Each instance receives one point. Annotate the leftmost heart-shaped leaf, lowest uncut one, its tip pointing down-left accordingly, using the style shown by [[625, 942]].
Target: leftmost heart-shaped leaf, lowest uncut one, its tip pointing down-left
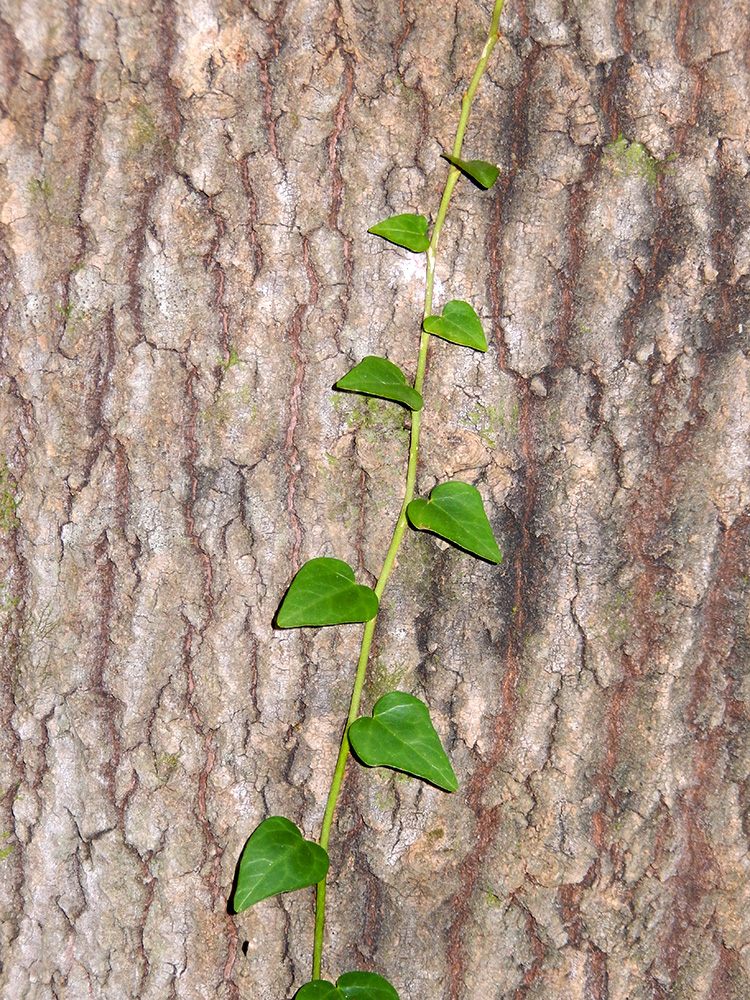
[[277, 858]]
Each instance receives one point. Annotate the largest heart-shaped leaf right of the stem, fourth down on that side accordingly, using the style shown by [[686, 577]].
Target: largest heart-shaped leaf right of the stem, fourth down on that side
[[400, 734]]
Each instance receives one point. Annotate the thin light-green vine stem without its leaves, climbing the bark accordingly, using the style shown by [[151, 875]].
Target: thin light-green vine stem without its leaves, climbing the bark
[[411, 478]]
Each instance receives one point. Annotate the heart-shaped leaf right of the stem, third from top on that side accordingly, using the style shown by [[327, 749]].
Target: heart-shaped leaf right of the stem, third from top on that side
[[455, 512]]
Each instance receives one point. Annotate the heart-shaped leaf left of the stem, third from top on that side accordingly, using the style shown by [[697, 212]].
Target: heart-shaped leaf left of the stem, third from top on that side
[[324, 593]]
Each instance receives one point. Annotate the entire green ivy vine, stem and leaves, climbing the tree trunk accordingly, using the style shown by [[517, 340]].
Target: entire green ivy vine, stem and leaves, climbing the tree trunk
[[399, 734]]
